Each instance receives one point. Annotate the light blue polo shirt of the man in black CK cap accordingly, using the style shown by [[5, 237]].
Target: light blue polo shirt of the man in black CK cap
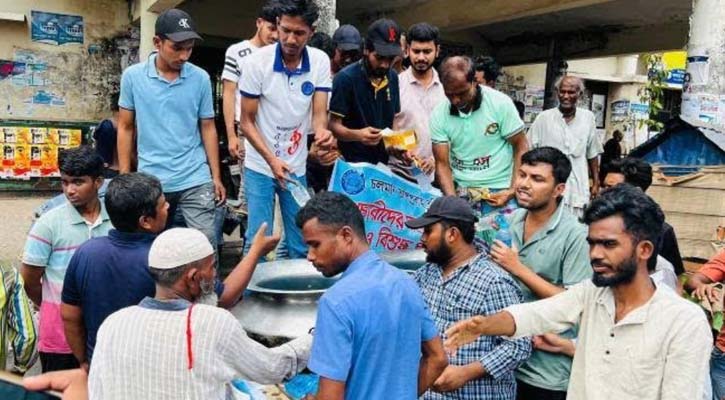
[[167, 122]]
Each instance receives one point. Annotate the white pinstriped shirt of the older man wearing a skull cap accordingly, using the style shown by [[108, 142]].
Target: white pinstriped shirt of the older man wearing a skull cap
[[141, 353]]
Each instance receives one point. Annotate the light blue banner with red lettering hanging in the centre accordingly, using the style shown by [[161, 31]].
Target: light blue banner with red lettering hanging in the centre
[[386, 202]]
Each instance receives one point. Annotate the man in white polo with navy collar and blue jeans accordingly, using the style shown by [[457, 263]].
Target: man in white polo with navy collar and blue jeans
[[284, 98]]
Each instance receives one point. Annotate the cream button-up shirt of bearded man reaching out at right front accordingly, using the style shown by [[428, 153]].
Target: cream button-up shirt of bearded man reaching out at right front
[[660, 350]]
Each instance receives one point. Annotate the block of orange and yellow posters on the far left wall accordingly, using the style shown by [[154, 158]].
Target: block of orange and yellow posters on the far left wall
[[32, 152]]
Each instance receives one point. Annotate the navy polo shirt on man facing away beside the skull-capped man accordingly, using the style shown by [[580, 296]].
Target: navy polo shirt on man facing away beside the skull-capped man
[[107, 274]]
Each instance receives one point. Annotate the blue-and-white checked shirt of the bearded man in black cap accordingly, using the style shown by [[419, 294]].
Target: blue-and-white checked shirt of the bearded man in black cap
[[478, 288]]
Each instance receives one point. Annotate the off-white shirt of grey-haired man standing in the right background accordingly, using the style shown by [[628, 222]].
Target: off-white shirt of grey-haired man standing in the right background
[[578, 140]]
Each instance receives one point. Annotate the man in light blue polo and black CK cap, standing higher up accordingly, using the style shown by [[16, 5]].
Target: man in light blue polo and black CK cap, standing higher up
[[169, 103]]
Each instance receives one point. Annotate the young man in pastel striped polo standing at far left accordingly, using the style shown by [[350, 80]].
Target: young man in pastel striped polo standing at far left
[[53, 240]]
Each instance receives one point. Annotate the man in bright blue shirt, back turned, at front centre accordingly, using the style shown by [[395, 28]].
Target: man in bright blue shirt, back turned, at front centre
[[374, 336]]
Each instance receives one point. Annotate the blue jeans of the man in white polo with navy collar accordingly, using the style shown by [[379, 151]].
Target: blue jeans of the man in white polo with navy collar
[[260, 190]]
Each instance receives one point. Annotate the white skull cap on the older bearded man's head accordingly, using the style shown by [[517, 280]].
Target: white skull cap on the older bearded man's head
[[178, 246]]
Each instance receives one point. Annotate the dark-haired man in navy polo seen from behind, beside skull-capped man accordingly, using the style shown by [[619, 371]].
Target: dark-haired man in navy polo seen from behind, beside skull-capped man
[[109, 273]]
